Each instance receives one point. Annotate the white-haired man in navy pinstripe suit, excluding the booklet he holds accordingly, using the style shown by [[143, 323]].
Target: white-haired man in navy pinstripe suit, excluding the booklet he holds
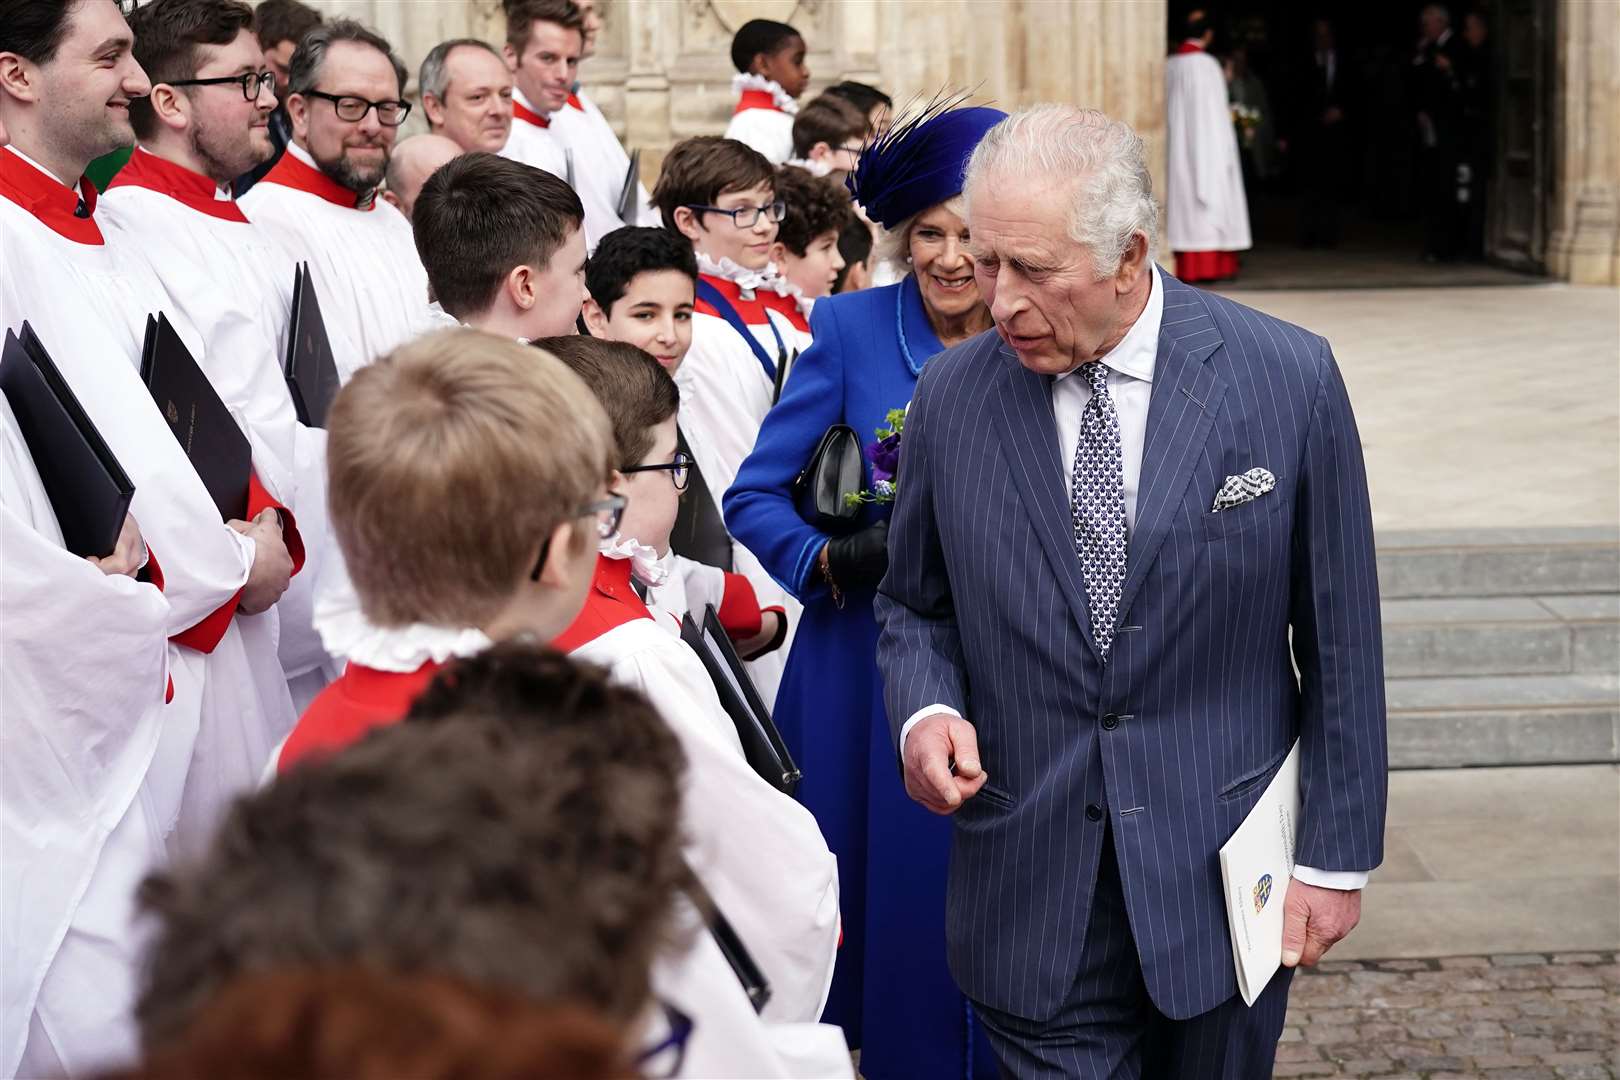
[[1132, 563]]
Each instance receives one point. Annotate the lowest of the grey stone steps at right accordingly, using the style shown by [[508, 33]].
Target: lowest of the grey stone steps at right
[[1504, 720]]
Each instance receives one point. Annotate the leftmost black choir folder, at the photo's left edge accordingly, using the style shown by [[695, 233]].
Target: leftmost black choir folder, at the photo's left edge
[[87, 487]]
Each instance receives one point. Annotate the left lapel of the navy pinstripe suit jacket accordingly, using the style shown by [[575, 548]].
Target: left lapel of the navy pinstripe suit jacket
[[1030, 438]]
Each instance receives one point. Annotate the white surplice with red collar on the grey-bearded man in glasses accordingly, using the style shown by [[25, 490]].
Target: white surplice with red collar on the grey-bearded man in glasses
[[367, 271]]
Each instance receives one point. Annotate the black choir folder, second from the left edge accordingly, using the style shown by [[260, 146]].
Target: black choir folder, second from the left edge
[[202, 422]]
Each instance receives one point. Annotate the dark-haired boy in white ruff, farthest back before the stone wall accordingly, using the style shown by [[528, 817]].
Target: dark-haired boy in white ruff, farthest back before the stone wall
[[772, 75]]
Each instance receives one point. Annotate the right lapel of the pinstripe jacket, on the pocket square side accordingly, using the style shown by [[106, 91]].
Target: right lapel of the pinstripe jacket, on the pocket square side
[[1180, 414]]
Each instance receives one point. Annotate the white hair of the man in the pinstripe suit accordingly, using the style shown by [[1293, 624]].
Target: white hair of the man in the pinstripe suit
[[1112, 190]]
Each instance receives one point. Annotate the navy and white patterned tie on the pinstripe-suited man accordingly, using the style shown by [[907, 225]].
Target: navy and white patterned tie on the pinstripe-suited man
[[1098, 501]]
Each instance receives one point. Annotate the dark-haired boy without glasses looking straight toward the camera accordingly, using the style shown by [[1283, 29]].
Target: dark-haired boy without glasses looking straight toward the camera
[[642, 294]]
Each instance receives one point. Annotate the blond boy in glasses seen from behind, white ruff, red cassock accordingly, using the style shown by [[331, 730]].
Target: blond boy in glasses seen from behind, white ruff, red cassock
[[469, 491]]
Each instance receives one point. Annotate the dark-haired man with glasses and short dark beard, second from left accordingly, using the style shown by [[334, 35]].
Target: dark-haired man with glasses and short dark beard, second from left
[[205, 124]]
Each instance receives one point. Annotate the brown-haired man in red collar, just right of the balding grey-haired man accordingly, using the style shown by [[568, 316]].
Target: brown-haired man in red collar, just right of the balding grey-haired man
[[544, 49]]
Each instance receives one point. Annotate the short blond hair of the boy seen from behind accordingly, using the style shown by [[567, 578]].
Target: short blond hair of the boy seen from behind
[[450, 462]]
